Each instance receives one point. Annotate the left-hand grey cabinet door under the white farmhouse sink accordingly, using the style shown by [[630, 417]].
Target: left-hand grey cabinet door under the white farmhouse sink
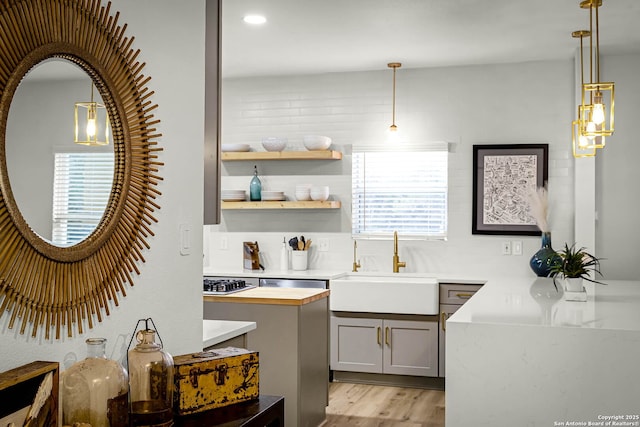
[[356, 344]]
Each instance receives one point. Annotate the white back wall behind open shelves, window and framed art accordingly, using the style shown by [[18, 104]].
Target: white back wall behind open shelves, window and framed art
[[512, 103]]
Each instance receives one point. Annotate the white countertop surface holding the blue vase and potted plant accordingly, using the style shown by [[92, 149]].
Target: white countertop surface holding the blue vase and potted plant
[[534, 301]]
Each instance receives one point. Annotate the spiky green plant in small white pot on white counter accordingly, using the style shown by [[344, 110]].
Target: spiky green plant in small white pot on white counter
[[575, 266]]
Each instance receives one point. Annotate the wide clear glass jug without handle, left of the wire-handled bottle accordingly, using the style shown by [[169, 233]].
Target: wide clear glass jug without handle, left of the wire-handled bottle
[[94, 390]]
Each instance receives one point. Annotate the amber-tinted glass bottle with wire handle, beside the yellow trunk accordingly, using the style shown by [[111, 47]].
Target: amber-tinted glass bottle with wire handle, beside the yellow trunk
[[150, 382]]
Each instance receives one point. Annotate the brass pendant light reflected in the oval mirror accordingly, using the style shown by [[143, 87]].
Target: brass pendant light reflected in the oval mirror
[[91, 123]]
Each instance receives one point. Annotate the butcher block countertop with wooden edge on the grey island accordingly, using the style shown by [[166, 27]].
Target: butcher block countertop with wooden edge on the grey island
[[273, 296]]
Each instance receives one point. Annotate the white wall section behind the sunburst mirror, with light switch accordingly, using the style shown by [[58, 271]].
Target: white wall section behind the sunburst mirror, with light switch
[[170, 35]]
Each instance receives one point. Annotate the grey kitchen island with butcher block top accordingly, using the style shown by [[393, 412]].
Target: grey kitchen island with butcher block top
[[292, 340]]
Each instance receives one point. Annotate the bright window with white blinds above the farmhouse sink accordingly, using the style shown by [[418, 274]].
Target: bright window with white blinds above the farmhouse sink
[[403, 191]]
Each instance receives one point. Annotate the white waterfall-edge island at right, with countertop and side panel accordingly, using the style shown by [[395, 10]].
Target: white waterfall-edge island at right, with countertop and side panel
[[519, 354]]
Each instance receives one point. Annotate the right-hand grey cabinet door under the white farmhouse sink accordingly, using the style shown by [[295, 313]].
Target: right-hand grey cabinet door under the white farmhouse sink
[[411, 348]]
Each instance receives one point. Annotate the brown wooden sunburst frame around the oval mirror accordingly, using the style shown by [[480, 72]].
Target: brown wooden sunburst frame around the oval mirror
[[51, 287]]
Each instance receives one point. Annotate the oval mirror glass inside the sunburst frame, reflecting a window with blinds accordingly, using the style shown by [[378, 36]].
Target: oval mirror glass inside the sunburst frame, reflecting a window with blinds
[[61, 188]]
